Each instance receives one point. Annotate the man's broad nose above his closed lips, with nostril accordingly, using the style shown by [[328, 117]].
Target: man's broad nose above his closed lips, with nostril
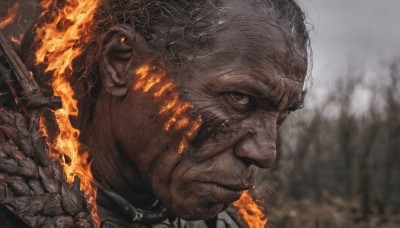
[[258, 149]]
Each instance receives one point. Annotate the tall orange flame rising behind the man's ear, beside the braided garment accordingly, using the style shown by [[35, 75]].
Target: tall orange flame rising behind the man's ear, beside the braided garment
[[59, 41]]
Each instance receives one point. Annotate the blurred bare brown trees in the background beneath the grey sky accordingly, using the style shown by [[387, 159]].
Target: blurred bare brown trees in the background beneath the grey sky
[[339, 149]]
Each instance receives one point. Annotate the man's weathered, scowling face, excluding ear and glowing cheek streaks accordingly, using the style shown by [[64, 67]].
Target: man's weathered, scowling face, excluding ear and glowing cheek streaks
[[242, 85]]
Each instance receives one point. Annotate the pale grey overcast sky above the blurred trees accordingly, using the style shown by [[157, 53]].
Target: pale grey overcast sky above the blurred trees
[[361, 32]]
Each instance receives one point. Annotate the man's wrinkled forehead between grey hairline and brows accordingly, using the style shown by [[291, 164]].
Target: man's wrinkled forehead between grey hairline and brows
[[256, 40]]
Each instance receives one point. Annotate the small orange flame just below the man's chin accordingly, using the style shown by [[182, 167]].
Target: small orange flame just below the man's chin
[[251, 213]]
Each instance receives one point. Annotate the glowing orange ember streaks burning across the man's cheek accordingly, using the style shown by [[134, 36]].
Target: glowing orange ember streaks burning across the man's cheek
[[153, 81]]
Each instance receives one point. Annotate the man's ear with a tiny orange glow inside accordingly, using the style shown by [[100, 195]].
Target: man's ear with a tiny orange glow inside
[[120, 48]]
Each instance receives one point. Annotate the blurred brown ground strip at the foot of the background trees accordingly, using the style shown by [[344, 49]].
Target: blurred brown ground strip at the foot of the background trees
[[330, 213]]
